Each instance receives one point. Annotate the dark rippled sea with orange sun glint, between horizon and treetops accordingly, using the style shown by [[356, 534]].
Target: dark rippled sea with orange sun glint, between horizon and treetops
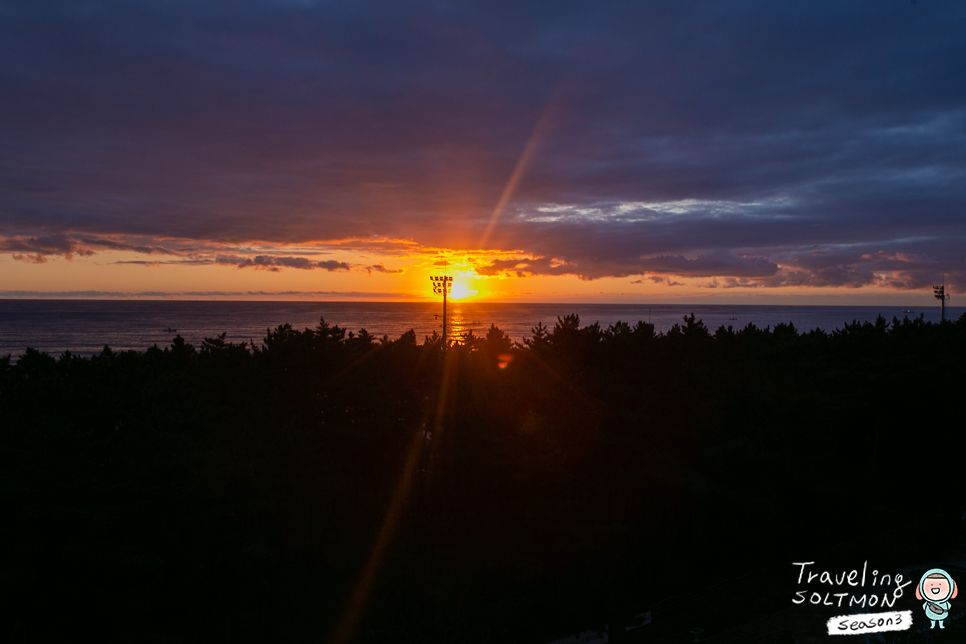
[[84, 327]]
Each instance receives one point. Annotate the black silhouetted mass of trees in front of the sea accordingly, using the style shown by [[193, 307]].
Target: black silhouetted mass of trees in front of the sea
[[328, 486]]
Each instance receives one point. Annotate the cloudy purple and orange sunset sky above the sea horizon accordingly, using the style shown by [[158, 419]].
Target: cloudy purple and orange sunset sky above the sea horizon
[[738, 152]]
